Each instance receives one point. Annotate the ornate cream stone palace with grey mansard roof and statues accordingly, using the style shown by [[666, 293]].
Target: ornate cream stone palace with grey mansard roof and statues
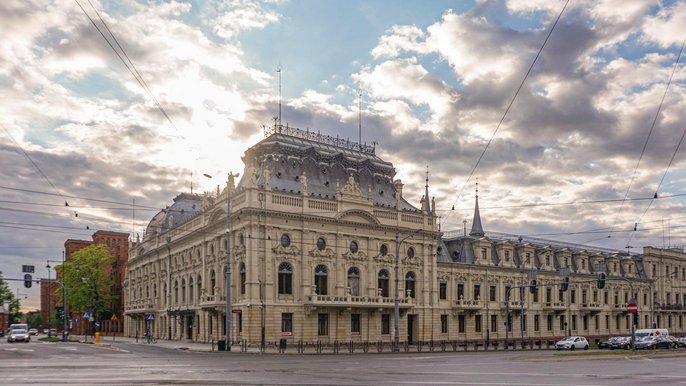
[[317, 226]]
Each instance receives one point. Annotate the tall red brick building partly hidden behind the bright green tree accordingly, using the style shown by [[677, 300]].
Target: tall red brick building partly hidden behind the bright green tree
[[118, 245]]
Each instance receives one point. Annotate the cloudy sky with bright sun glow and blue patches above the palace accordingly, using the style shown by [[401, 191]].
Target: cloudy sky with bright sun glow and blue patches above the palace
[[570, 145]]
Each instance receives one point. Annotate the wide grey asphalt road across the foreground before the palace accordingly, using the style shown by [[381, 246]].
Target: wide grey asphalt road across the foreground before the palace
[[130, 363]]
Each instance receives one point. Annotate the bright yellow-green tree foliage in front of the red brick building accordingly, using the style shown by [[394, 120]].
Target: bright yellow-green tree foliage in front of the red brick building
[[88, 281]]
